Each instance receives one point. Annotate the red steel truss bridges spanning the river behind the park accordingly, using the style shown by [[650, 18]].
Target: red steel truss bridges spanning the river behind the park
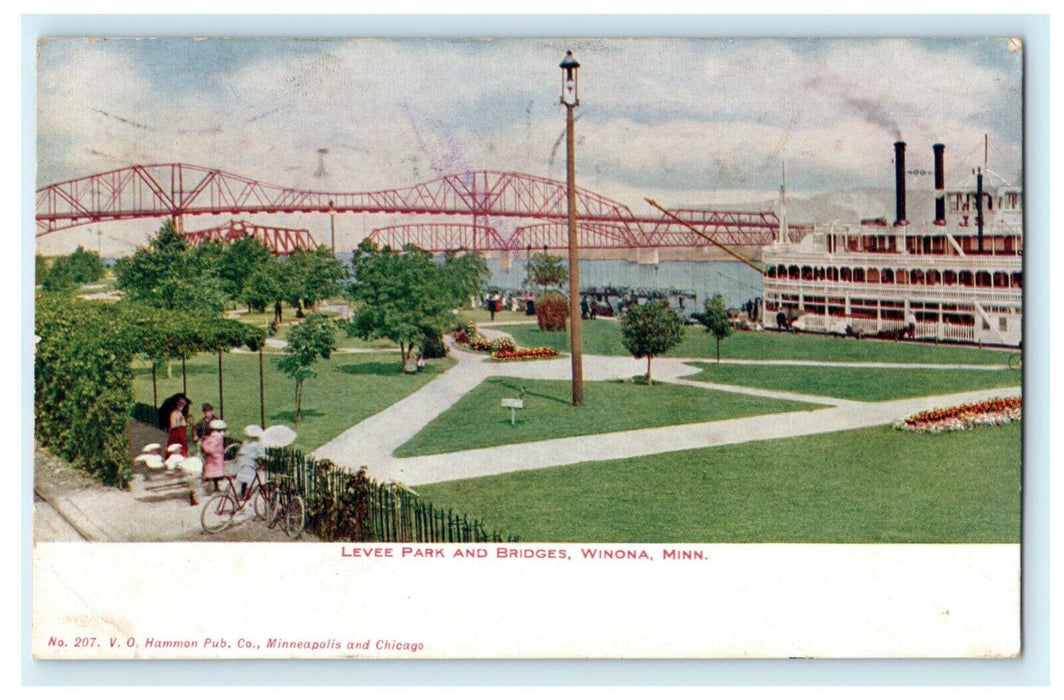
[[484, 198]]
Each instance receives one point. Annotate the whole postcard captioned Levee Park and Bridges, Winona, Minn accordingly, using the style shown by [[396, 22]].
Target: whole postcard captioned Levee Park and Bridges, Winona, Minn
[[528, 348]]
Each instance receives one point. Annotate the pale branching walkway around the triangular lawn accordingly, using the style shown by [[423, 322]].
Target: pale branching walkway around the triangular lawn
[[372, 442]]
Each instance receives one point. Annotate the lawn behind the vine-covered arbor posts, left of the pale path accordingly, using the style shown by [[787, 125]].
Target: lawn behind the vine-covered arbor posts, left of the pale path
[[348, 389]]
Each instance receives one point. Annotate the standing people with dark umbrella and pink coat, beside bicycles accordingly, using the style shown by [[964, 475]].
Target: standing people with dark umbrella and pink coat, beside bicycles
[[209, 435]]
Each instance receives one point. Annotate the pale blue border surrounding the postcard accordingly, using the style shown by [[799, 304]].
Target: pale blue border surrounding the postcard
[[1033, 669]]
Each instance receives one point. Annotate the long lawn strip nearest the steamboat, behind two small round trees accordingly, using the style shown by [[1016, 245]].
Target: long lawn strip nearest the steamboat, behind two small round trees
[[603, 338]]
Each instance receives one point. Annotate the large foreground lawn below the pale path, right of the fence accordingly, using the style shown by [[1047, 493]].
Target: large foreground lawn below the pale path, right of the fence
[[875, 486]]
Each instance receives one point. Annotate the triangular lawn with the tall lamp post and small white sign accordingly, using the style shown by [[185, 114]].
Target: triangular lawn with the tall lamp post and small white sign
[[478, 420]]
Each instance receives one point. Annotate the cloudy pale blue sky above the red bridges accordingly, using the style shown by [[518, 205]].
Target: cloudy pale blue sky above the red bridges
[[686, 122]]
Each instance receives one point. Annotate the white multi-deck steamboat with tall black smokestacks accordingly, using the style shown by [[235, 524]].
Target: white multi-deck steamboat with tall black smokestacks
[[958, 279]]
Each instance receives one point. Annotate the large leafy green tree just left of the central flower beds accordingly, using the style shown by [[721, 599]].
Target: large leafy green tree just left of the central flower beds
[[404, 296]]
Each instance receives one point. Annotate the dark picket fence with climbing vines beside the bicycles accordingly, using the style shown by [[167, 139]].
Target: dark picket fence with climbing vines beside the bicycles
[[344, 507]]
